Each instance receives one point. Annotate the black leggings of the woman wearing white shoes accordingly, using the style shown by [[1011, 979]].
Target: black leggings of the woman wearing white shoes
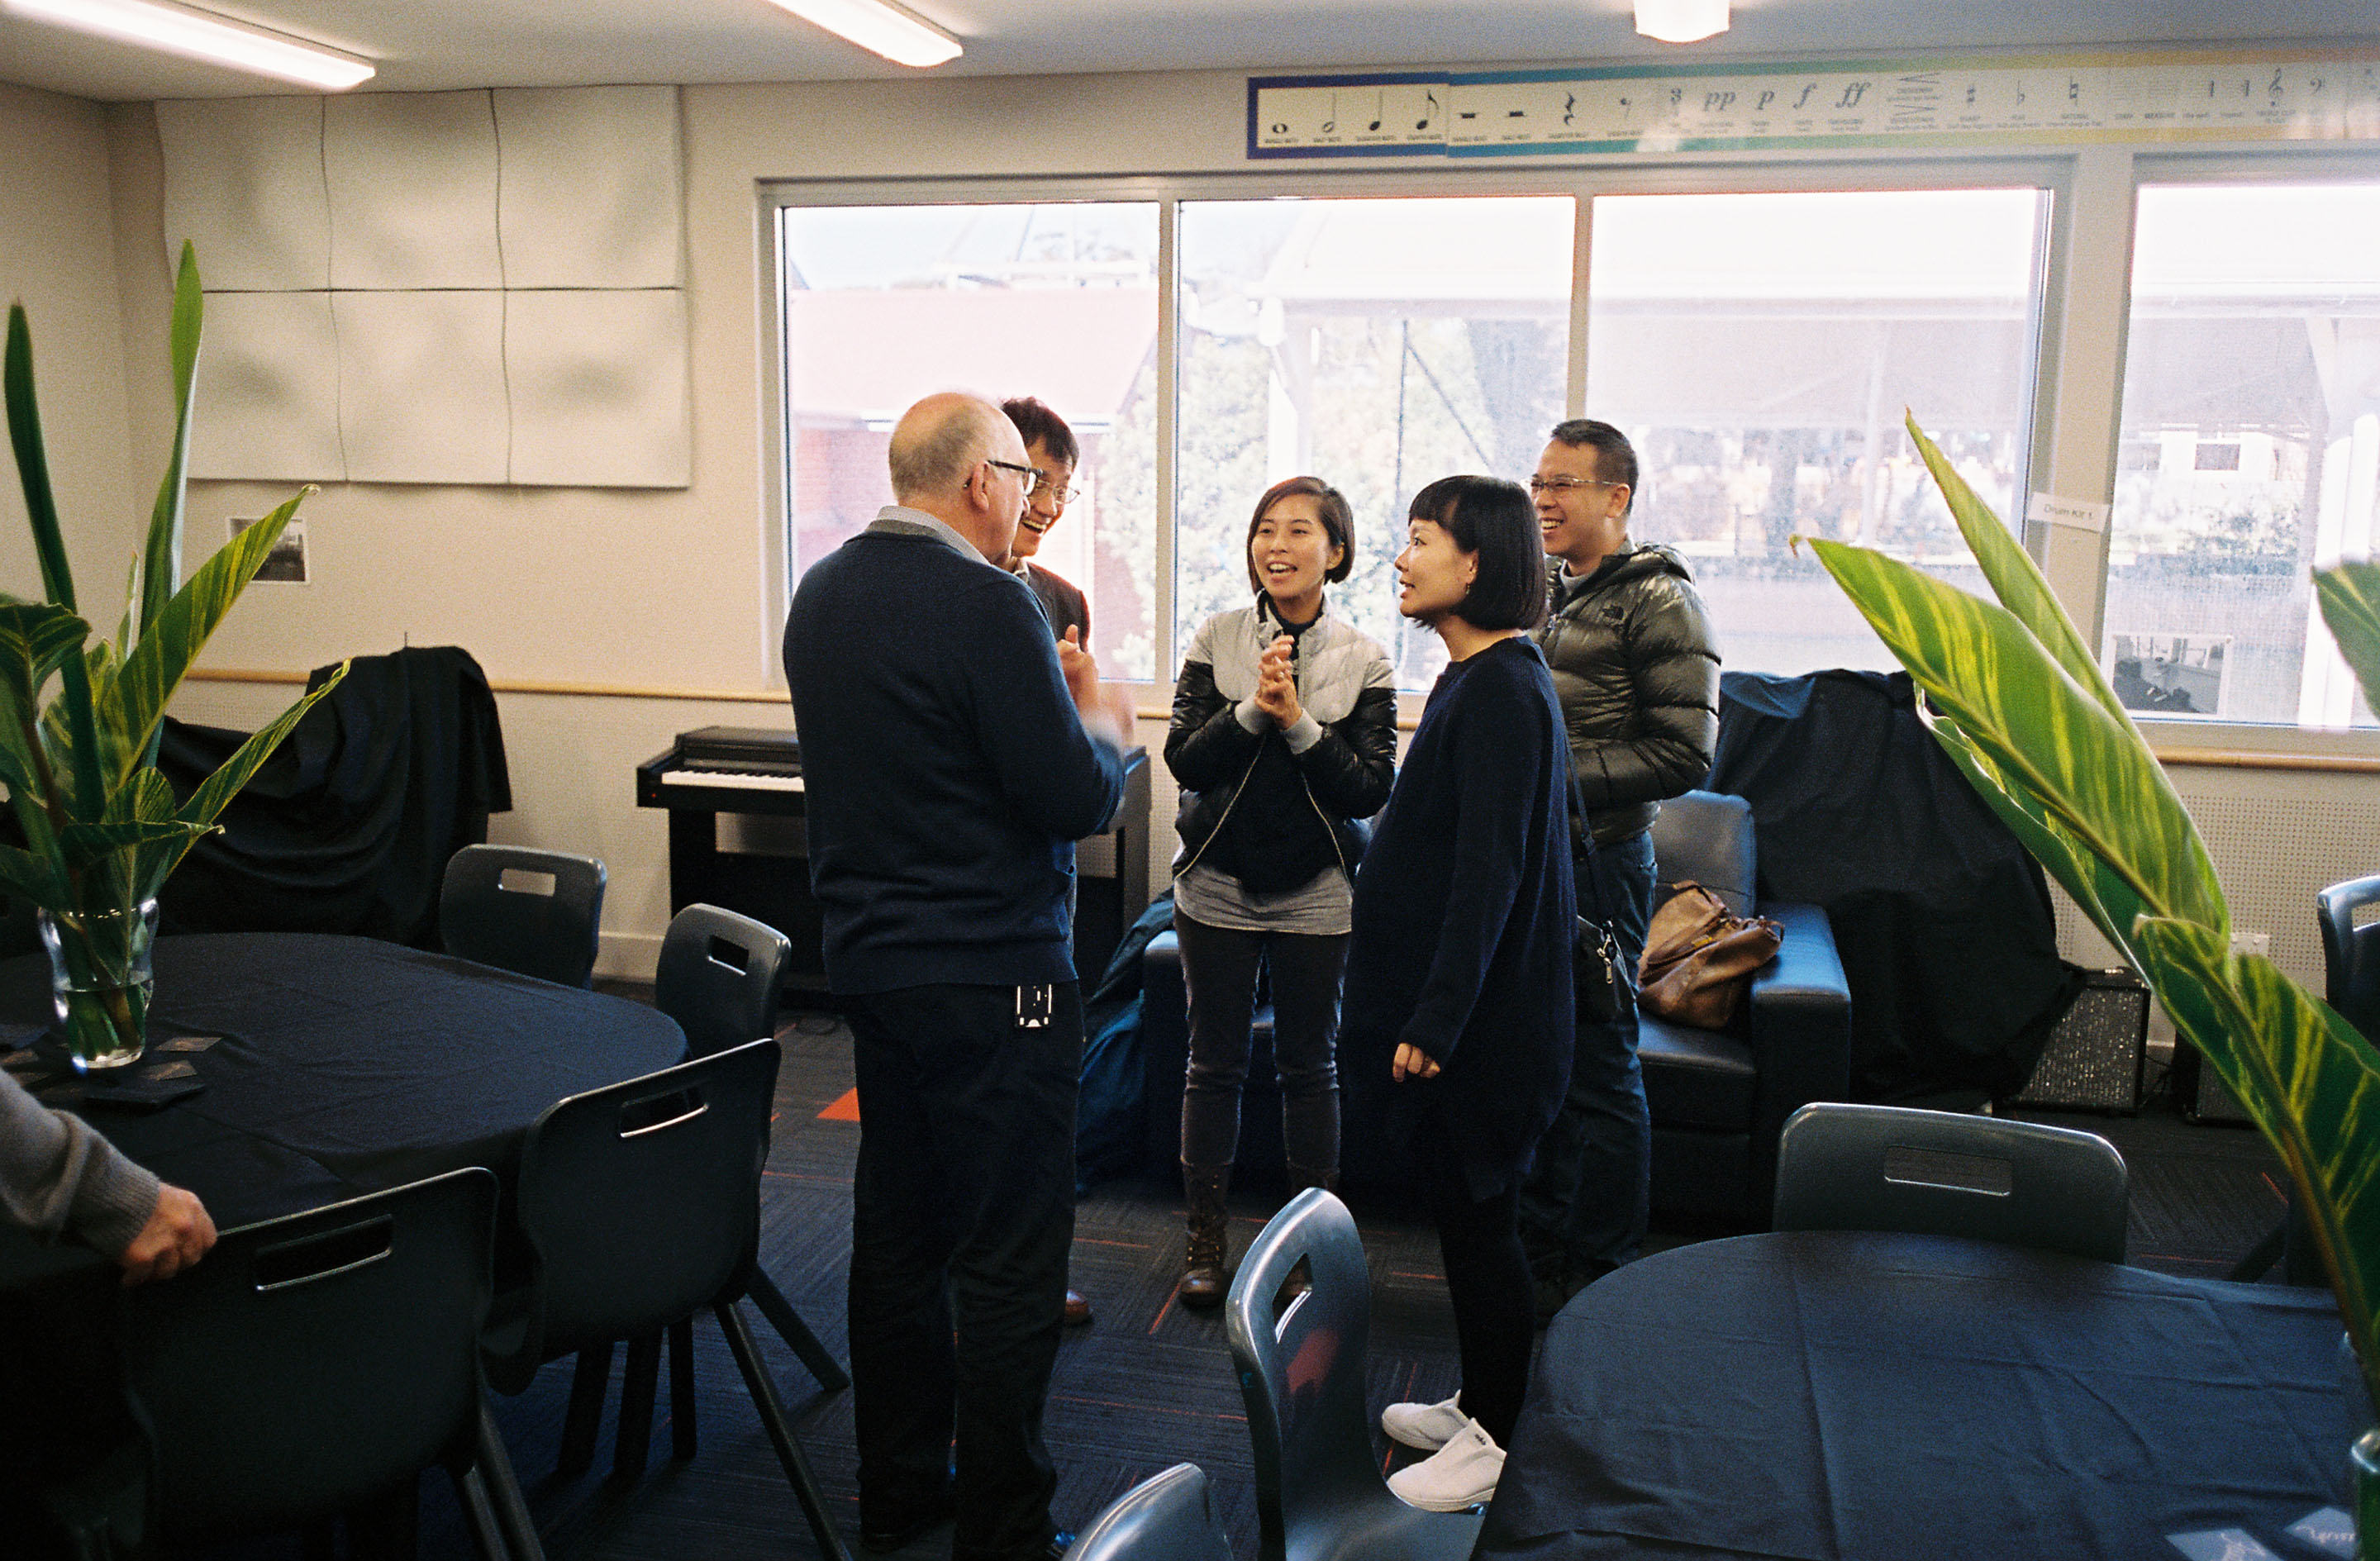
[[1479, 1241]]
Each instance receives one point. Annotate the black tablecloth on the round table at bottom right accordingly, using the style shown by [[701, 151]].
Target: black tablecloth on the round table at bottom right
[[1884, 1398]]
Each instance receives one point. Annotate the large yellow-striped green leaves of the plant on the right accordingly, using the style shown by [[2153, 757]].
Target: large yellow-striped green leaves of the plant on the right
[[2019, 706]]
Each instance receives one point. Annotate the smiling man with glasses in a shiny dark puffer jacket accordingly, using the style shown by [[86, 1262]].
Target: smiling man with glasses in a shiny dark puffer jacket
[[1639, 677]]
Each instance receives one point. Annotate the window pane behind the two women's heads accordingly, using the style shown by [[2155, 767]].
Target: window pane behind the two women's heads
[[1374, 344]]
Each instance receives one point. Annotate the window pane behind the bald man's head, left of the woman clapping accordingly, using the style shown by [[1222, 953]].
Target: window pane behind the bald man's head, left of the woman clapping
[[889, 303]]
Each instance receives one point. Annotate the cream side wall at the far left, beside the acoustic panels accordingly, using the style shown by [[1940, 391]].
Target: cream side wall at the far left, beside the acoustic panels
[[58, 258]]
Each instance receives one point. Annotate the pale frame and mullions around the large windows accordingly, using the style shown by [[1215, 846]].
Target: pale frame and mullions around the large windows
[[2081, 315]]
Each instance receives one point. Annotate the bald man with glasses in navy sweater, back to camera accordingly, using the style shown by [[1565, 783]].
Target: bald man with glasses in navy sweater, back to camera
[[951, 760]]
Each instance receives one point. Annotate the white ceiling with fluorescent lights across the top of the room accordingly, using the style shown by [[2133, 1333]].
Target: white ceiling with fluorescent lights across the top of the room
[[458, 44]]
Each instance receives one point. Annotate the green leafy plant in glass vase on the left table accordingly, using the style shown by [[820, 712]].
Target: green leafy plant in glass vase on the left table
[[80, 722]]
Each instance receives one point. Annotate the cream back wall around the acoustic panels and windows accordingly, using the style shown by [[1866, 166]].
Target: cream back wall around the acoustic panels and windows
[[675, 591]]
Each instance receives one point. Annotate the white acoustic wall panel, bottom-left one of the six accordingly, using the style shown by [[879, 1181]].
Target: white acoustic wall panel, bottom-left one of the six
[[268, 387]]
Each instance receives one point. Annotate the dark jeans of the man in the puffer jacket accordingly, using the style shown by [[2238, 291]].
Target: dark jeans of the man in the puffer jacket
[[1586, 1200]]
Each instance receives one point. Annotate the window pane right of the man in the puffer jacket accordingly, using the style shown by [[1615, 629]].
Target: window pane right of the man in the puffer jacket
[[1760, 353]]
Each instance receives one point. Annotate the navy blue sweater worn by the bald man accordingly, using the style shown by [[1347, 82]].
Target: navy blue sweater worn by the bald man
[[946, 767]]
